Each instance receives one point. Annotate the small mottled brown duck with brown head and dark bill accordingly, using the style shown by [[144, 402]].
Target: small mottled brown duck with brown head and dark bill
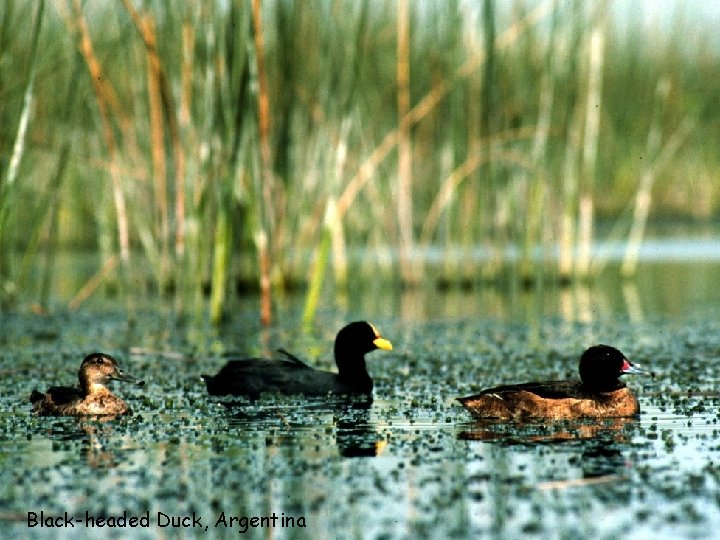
[[93, 397]]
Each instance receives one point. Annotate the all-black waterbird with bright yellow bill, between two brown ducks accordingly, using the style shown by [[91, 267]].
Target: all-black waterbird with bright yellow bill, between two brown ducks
[[254, 376]]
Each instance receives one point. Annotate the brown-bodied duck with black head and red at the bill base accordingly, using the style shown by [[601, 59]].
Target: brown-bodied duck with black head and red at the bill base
[[599, 393]]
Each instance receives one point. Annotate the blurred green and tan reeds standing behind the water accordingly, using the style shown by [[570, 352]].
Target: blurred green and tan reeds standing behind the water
[[206, 148]]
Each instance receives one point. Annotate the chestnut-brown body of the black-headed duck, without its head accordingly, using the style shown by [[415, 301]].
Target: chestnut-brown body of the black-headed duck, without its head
[[552, 399]]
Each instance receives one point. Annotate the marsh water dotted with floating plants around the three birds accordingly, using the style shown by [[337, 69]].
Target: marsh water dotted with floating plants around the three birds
[[409, 464]]
